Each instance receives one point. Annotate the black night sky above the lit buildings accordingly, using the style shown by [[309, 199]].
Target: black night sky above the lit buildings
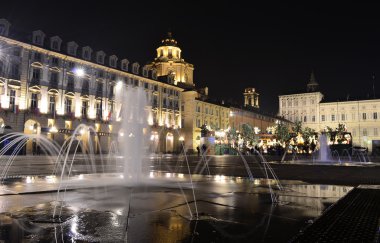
[[271, 47]]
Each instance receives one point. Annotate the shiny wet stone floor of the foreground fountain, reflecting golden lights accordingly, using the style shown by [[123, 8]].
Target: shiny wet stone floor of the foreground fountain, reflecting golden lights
[[98, 208]]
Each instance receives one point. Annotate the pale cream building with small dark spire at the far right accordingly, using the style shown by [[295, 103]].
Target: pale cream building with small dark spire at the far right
[[361, 117]]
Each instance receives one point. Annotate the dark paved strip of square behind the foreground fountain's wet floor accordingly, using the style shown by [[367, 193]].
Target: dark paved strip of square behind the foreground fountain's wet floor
[[339, 173]]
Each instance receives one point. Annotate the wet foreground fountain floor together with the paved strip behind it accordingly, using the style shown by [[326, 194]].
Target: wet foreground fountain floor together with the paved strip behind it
[[221, 202]]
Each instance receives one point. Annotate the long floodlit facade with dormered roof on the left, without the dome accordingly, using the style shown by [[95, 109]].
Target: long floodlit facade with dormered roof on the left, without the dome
[[49, 87]]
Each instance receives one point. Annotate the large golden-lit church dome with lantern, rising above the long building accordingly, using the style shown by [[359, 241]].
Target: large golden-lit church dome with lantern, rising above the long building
[[169, 61]]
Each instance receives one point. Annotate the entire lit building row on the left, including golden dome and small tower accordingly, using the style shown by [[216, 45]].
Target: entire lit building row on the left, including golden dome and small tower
[[50, 87]]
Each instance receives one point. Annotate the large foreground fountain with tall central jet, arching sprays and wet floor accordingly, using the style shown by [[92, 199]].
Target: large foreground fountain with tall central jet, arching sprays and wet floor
[[87, 197]]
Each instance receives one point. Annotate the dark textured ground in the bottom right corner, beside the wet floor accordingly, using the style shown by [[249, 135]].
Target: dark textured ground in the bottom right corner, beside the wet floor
[[354, 218]]
